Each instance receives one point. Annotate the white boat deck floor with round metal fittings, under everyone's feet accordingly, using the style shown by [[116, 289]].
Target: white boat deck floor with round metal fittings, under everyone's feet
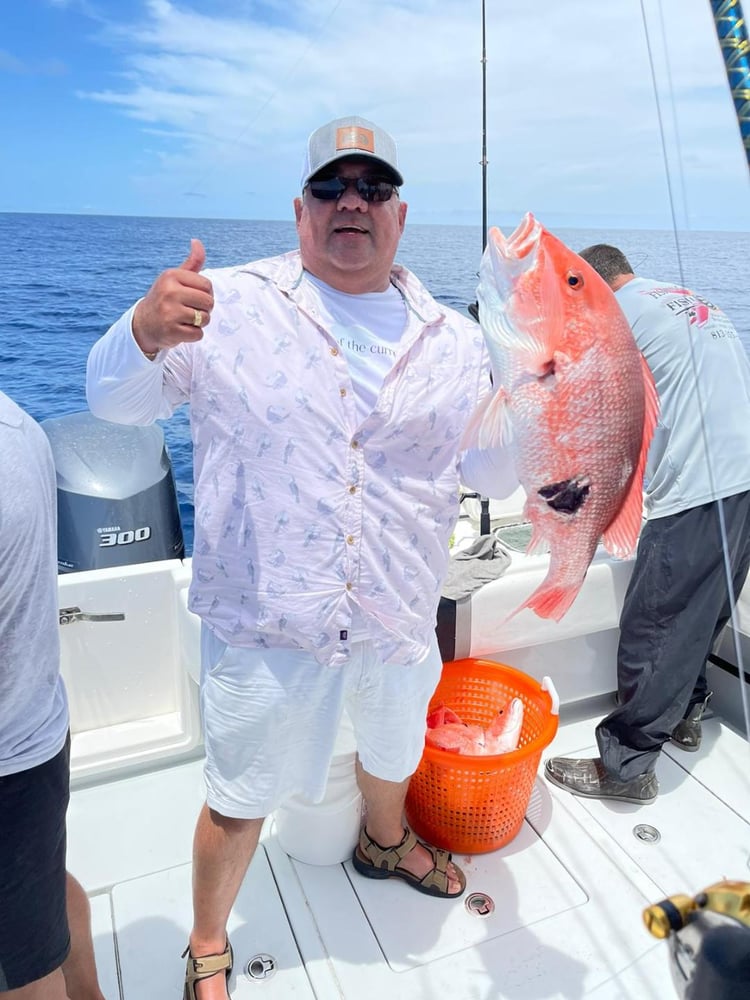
[[568, 892]]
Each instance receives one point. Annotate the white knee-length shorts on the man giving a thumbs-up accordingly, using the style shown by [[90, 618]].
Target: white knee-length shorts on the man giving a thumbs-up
[[270, 719]]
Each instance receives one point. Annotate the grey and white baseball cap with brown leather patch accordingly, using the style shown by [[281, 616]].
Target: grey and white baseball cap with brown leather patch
[[347, 137]]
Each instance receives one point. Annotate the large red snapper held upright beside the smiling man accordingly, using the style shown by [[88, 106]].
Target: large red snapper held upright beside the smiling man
[[574, 399]]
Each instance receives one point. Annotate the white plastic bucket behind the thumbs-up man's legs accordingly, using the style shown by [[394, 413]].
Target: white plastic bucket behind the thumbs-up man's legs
[[326, 832]]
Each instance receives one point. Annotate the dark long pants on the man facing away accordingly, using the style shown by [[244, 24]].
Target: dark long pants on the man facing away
[[676, 604]]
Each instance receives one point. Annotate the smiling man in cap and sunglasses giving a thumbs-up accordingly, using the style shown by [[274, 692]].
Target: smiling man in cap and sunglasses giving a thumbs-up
[[329, 395]]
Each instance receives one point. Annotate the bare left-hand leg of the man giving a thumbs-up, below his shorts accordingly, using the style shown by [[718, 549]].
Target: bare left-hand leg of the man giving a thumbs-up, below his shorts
[[222, 850]]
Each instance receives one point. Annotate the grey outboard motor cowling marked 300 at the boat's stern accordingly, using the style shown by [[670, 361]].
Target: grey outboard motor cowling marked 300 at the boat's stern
[[116, 497]]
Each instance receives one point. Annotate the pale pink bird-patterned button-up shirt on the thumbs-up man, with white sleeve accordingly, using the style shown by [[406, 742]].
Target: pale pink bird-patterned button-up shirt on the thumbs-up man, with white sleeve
[[302, 512]]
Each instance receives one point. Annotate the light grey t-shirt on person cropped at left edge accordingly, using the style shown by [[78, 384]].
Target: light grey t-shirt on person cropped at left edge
[[33, 707]]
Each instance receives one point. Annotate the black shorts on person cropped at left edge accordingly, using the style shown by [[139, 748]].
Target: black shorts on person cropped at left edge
[[34, 936]]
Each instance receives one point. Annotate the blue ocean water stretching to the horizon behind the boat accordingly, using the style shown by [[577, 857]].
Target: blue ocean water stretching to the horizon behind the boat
[[66, 278]]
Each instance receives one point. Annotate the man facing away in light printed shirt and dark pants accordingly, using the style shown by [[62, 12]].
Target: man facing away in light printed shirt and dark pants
[[697, 536]]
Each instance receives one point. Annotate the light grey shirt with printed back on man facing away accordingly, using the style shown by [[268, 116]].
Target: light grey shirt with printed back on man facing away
[[701, 447]]
